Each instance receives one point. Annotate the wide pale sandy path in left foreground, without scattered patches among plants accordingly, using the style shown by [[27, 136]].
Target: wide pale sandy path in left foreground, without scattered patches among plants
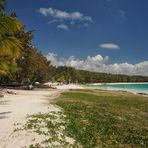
[[13, 112]]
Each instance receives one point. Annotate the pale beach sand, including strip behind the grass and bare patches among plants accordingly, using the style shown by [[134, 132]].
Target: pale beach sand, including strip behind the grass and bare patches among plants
[[15, 109]]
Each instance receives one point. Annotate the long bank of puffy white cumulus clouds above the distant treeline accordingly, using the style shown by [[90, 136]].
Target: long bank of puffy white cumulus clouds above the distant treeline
[[98, 63]]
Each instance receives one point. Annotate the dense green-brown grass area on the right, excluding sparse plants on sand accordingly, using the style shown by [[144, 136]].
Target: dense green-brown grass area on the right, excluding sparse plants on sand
[[105, 119]]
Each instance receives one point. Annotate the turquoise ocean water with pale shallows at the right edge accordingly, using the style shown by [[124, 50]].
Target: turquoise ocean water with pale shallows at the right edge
[[134, 88]]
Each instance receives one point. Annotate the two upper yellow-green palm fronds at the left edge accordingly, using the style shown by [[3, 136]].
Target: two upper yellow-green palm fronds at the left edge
[[9, 44]]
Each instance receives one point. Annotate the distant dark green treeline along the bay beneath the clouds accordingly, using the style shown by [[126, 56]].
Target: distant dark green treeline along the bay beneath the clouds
[[72, 75]]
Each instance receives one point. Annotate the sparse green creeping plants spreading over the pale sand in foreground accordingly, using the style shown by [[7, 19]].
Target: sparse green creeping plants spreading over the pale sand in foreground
[[51, 127]]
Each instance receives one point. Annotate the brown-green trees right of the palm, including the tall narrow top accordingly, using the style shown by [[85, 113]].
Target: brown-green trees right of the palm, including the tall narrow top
[[32, 65]]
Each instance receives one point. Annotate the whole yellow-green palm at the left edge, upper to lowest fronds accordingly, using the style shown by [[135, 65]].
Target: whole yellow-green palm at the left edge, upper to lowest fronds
[[9, 45]]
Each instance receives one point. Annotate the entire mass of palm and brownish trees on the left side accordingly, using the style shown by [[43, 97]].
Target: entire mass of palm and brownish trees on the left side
[[19, 59]]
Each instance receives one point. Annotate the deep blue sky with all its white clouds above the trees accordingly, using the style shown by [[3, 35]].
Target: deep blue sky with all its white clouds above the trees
[[97, 35]]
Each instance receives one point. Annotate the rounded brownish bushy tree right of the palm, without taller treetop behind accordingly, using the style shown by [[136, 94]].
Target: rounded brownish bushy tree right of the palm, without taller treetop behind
[[33, 66]]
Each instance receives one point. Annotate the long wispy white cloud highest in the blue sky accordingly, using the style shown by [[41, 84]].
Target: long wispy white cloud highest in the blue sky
[[63, 15]]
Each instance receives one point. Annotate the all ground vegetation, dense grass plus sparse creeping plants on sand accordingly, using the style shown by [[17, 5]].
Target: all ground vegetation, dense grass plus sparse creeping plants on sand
[[93, 119]]
